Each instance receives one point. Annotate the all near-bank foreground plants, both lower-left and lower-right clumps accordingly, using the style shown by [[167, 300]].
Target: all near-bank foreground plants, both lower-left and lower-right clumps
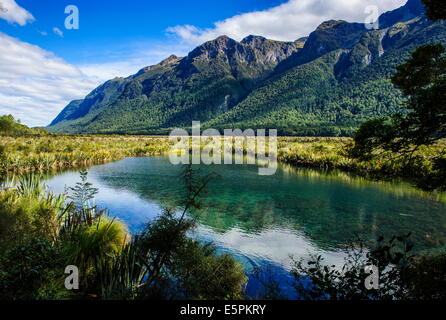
[[40, 235]]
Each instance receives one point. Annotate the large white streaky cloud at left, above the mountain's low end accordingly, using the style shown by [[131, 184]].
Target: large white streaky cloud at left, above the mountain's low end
[[35, 84]]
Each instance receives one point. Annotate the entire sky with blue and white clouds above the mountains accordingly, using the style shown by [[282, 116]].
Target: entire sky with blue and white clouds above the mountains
[[43, 65]]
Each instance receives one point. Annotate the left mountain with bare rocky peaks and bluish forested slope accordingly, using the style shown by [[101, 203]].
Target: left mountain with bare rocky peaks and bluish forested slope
[[213, 77]]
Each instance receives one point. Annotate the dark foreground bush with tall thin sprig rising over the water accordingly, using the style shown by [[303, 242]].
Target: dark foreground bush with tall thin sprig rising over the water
[[164, 262]]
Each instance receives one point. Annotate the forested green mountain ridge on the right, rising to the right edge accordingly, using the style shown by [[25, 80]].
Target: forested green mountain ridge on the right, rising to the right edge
[[332, 94]]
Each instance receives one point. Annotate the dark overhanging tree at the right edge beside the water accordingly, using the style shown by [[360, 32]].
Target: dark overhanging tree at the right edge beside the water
[[422, 79]]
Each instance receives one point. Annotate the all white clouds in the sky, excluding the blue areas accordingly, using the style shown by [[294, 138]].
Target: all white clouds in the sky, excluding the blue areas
[[35, 84]]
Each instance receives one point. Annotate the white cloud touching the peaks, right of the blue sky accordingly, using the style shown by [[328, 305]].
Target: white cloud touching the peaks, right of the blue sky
[[287, 22]]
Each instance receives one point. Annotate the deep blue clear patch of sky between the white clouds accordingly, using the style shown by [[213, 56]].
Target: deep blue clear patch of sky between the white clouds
[[108, 27]]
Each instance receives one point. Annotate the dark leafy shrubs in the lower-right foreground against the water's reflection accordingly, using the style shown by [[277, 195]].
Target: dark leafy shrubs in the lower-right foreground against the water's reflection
[[401, 274]]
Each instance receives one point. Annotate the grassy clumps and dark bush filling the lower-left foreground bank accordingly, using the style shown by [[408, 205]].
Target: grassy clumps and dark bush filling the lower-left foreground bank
[[40, 235]]
